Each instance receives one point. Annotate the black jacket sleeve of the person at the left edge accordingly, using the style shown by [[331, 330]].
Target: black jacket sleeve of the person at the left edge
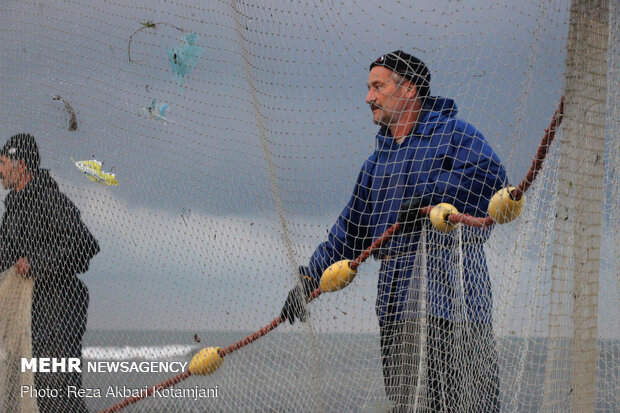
[[69, 246]]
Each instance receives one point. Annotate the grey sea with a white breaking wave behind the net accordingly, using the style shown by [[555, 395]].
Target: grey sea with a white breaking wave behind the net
[[307, 371]]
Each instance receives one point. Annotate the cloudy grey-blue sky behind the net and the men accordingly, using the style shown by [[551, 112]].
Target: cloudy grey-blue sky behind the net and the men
[[267, 132]]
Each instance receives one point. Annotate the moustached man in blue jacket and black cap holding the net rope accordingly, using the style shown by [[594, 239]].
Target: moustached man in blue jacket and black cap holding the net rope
[[431, 285]]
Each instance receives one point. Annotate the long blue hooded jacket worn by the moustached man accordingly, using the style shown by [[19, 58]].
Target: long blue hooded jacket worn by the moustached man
[[444, 159]]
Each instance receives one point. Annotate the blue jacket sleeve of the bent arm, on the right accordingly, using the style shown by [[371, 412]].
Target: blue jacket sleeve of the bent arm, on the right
[[470, 175]]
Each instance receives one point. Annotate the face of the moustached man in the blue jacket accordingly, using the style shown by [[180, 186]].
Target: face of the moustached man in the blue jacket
[[387, 98]]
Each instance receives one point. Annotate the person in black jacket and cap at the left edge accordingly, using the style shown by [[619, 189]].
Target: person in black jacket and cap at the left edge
[[43, 235]]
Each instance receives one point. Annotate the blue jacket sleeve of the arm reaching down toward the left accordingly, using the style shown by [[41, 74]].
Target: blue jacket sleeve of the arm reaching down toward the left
[[349, 235]]
